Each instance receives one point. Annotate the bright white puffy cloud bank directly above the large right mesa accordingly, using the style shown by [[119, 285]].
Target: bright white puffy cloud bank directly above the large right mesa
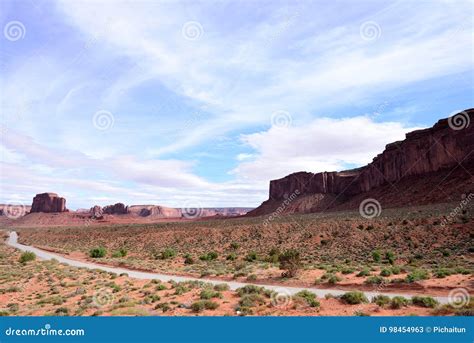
[[323, 145]]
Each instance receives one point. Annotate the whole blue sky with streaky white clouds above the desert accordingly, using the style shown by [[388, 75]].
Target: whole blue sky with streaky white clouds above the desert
[[202, 103]]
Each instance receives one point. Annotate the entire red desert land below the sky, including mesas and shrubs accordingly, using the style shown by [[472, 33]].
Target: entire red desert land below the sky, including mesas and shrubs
[[395, 237]]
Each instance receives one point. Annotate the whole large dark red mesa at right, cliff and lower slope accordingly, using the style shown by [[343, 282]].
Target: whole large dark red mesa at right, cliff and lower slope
[[441, 154]]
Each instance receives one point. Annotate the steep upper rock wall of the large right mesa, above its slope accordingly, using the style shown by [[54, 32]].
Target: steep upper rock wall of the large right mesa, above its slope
[[447, 143]]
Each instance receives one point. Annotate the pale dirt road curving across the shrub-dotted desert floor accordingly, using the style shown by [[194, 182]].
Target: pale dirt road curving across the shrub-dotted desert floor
[[45, 255]]
